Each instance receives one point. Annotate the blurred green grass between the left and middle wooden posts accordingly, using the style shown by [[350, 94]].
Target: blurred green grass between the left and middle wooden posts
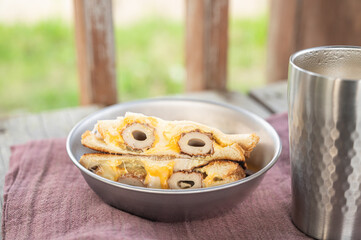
[[149, 59]]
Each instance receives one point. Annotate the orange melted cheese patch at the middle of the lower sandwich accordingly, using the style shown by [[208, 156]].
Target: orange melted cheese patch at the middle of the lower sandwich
[[158, 173]]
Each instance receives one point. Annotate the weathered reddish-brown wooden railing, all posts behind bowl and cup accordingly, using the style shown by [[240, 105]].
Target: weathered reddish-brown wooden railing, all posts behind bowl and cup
[[294, 25]]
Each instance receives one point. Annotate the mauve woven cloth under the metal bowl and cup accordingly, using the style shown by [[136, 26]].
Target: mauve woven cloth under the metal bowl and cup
[[45, 197]]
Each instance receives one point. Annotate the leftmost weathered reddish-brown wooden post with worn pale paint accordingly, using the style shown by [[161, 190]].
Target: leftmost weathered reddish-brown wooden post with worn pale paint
[[95, 51]]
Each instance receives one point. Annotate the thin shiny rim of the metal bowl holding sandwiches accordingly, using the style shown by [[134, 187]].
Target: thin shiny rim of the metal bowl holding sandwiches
[[275, 136]]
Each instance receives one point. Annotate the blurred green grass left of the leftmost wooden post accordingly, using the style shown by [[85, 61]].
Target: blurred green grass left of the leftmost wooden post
[[37, 66]]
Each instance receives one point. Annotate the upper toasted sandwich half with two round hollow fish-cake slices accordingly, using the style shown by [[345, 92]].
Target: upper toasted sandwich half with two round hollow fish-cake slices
[[150, 136]]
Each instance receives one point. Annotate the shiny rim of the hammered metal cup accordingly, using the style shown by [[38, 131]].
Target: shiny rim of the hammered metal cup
[[307, 50]]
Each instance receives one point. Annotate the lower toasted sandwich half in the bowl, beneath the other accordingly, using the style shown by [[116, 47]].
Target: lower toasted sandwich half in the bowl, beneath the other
[[162, 173]]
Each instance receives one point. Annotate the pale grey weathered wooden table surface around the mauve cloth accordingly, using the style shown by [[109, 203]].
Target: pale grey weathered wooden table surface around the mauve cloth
[[57, 124]]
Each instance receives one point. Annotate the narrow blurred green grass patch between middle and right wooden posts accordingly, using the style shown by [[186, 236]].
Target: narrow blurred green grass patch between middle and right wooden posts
[[247, 53]]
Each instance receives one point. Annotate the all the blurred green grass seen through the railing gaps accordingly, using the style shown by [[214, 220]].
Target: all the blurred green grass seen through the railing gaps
[[38, 61]]
